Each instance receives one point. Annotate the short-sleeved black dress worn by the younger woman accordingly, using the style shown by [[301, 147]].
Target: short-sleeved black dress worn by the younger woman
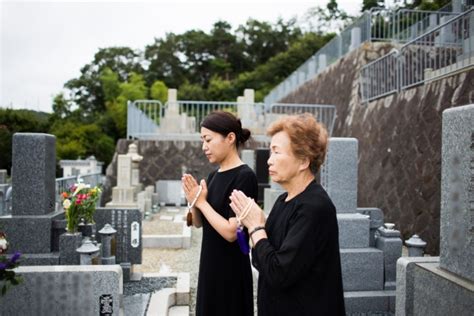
[[225, 276]]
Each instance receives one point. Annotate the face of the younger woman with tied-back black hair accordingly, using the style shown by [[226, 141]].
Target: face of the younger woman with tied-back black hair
[[215, 146]]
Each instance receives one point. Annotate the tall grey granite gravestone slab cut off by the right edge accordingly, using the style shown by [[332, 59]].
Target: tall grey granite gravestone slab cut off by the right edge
[[457, 192]]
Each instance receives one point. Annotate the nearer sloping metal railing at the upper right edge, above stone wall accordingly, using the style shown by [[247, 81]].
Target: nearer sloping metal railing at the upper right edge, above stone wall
[[441, 51]]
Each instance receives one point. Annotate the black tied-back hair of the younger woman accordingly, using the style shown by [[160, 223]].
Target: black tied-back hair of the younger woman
[[223, 122]]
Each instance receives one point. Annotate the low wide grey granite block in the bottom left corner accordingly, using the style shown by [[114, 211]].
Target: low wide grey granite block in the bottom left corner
[[65, 290]]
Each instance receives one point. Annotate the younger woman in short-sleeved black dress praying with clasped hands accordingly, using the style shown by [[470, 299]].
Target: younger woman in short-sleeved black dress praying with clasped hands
[[225, 277]]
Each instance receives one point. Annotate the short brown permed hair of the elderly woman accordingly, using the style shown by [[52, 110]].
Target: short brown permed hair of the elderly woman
[[309, 139]]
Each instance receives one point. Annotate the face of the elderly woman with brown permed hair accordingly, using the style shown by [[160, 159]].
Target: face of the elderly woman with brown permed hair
[[282, 163]]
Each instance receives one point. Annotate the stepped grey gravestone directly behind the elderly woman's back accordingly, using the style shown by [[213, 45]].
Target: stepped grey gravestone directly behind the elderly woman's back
[[364, 263]]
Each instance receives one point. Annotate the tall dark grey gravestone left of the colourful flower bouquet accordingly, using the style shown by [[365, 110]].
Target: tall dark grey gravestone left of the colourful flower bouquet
[[29, 226]]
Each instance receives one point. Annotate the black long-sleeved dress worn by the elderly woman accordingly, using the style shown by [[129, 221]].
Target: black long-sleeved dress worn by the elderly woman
[[299, 263]]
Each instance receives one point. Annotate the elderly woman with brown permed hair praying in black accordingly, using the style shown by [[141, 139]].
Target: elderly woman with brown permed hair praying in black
[[296, 251]]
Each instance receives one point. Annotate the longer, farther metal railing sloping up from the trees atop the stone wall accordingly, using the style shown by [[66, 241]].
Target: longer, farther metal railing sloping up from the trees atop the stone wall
[[374, 25]]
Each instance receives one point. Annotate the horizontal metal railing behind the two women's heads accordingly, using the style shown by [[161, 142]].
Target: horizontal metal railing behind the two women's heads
[[181, 120]]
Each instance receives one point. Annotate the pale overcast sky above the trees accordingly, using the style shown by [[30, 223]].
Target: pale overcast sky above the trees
[[44, 44]]
